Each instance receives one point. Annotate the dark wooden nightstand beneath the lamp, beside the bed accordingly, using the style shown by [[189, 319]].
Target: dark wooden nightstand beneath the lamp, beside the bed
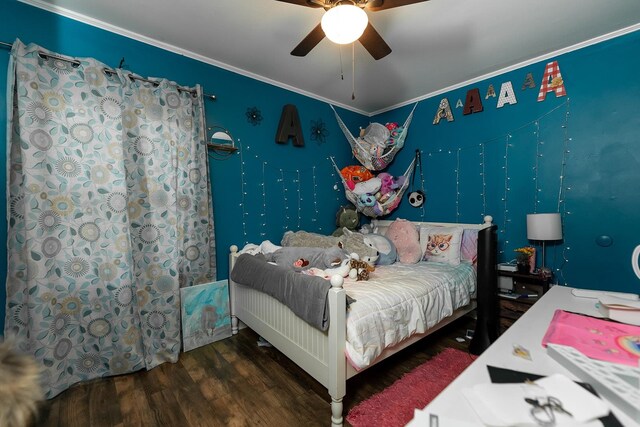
[[527, 289]]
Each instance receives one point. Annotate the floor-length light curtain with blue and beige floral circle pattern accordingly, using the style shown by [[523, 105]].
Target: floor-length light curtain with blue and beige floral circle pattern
[[109, 215]]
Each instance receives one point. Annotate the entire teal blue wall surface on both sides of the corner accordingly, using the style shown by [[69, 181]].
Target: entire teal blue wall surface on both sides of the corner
[[602, 167]]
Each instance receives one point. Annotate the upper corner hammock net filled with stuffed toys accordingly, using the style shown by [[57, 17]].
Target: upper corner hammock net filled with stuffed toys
[[377, 147]]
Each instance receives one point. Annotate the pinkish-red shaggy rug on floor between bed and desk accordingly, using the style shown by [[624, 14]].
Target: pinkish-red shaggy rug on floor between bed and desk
[[394, 405]]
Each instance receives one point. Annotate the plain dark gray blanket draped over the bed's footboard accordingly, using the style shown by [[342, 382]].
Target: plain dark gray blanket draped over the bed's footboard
[[305, 295]]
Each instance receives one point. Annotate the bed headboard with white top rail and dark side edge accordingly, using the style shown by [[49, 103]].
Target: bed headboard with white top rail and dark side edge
[[487, 322]]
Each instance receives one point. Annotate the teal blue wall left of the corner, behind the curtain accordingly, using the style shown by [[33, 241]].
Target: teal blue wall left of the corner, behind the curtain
[[235, 94]]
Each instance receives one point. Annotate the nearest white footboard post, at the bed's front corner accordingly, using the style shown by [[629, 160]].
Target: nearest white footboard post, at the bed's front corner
[[337, 383]]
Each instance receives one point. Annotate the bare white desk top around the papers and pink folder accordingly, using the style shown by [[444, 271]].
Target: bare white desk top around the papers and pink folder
[[527, 332]]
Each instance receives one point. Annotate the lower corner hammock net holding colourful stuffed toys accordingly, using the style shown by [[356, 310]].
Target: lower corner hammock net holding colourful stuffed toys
[[367, 204]]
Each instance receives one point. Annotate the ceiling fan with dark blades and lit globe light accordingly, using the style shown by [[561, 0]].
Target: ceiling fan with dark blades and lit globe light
[[358, 26]]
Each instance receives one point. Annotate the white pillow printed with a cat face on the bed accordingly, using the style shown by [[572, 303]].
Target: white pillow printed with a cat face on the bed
[[441, 244]]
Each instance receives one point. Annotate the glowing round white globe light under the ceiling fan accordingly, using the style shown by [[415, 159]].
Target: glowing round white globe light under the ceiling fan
[[344, 23]]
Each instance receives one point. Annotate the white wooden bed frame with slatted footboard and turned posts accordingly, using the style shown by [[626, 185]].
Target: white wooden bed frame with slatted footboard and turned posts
[[320, 354]]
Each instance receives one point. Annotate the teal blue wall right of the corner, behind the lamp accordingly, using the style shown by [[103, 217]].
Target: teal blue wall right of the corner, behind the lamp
[[602, 171]]
